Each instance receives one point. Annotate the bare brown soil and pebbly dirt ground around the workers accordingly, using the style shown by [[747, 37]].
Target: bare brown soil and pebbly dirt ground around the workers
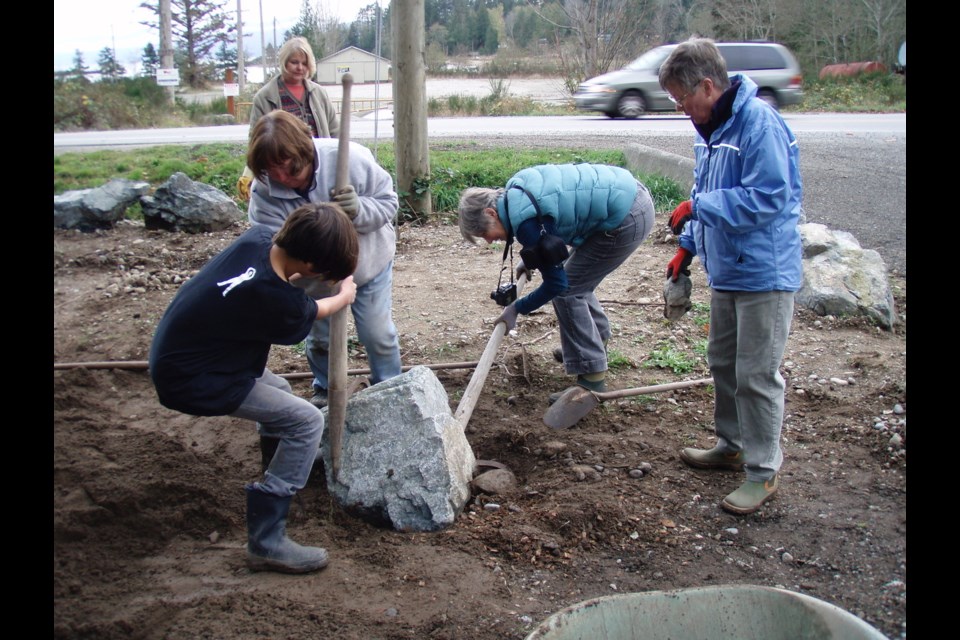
[[148, 505]]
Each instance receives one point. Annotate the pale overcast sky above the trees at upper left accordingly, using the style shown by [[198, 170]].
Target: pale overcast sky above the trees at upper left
[[92, 25]]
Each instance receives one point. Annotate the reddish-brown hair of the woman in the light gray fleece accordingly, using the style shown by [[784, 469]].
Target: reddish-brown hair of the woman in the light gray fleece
[[277, 137]]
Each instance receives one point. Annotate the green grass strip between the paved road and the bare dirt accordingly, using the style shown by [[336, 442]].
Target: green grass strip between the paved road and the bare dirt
[[454, 168]]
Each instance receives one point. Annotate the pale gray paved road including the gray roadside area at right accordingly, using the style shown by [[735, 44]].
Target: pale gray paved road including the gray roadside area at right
[[853, 166]]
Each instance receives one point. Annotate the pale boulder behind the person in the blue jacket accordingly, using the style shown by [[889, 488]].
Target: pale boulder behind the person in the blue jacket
[[842, 279]]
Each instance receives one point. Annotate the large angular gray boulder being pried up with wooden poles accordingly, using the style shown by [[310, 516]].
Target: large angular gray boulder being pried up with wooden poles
[[405, 462]]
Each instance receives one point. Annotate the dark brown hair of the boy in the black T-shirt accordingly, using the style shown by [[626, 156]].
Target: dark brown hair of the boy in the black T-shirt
[[321, 234]]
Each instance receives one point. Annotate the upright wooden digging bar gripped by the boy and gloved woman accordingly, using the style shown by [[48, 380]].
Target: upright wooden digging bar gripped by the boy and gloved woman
[[337, 369]]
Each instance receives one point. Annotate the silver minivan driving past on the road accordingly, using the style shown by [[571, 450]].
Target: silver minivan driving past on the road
[[635, 89]]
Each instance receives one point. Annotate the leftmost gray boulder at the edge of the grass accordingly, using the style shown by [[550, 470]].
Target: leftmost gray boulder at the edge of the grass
[[98, 208]]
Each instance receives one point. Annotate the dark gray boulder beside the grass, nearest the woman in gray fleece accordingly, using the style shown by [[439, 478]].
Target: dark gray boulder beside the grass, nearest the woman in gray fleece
[[180, 204]]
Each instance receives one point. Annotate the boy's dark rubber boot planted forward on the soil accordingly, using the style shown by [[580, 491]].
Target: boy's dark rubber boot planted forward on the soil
[[268, 547]]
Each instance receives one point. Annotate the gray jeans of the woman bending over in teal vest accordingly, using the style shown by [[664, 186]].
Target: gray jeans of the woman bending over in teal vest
[[584, 327]]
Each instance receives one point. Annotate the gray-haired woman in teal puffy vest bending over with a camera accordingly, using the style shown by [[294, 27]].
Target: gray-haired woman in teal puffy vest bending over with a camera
[[602, 212]]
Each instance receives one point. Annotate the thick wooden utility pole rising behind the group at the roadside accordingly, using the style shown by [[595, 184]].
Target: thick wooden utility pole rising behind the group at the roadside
[[410, 105]]
